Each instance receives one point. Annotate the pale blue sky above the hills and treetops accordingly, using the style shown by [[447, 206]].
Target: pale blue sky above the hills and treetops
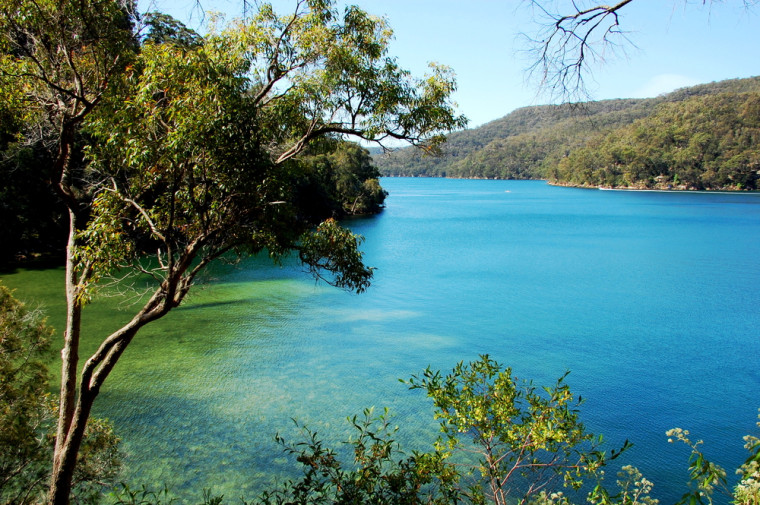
[[672, 44]]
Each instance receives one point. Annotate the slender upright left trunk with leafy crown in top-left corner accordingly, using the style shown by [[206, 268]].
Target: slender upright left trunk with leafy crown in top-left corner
[[59, 59]]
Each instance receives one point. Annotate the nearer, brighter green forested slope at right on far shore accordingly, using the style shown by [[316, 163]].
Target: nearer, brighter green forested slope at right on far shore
[[700, 143]]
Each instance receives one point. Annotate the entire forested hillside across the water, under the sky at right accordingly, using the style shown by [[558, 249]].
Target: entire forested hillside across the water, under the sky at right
[[550, 142]]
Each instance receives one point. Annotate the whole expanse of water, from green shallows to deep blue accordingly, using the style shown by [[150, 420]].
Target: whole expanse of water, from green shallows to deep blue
[[649, 299]]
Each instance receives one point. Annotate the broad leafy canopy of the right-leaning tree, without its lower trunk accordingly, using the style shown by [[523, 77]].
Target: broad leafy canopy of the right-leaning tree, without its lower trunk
[[225, 167]]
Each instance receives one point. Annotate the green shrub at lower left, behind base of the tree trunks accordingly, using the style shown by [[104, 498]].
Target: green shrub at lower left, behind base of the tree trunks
[[28, 414]]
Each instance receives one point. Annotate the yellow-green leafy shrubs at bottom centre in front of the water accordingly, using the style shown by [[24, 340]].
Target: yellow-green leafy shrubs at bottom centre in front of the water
[[521, 436]]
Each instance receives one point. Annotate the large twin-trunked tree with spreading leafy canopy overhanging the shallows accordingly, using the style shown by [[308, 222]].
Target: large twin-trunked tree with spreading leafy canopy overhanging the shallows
[[193, 151]]
